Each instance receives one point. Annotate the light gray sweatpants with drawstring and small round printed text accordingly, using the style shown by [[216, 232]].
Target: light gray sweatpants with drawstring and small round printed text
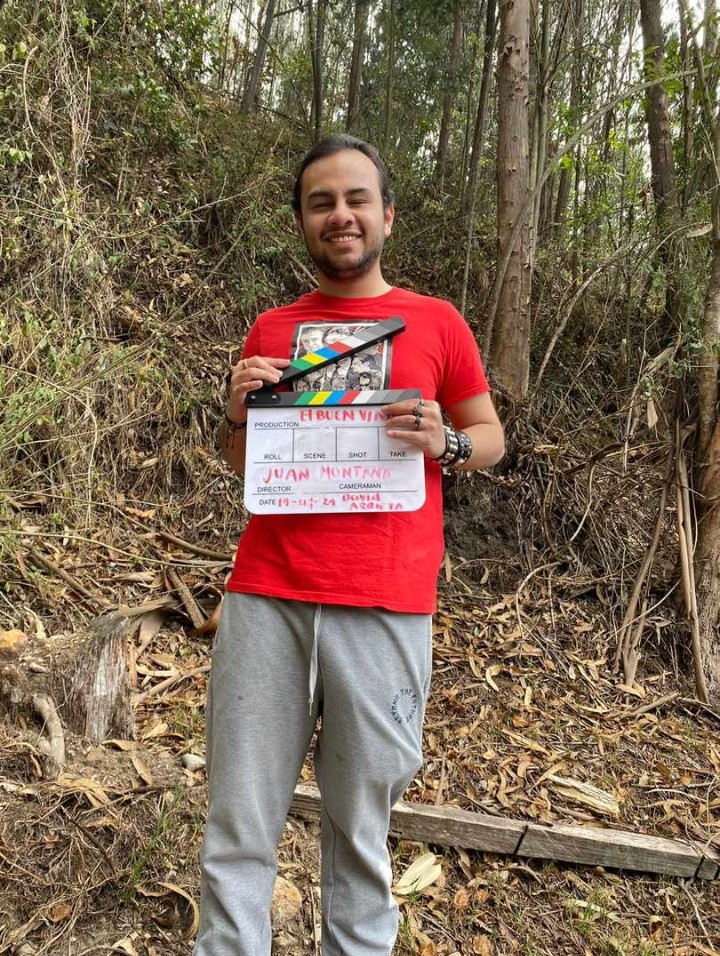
[[278, 665]]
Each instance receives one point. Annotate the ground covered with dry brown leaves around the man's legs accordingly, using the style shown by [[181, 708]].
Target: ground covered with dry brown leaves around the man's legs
[[525, 709]]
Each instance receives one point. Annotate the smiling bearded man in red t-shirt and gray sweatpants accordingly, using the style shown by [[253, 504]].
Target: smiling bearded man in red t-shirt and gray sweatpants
[[329, 615]]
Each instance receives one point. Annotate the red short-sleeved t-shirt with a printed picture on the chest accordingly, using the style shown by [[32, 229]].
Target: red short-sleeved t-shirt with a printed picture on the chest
[[389, 560]]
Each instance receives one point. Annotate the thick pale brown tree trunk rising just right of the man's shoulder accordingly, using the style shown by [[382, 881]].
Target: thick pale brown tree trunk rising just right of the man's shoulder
[[508, 344]]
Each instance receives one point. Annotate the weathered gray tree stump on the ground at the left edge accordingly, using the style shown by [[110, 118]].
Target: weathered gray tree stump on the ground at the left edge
[[78, 682]]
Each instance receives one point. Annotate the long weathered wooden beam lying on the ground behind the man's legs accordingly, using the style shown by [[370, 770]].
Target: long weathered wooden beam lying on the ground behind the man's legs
[[592, 846]]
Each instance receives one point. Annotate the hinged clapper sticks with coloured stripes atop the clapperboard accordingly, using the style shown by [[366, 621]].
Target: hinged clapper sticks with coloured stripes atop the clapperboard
[[327, 355]]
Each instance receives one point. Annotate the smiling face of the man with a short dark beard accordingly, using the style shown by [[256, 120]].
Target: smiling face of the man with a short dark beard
[[342, 216]]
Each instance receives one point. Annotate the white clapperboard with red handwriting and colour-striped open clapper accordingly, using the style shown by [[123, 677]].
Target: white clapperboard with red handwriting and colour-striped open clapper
[[313, 452]]
